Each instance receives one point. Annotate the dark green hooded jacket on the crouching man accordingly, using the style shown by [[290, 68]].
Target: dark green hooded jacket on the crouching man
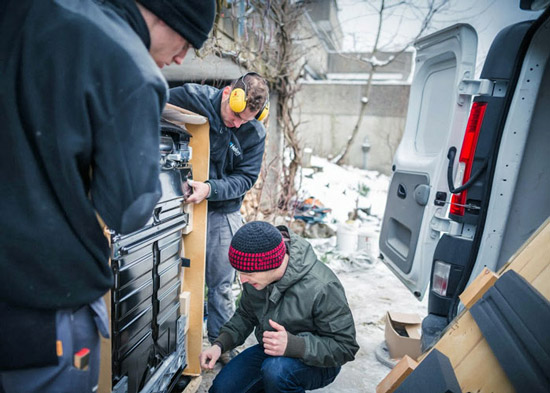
[[309, 301]]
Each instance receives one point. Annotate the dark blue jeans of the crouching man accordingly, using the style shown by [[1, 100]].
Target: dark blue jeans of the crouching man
[[253, 371]]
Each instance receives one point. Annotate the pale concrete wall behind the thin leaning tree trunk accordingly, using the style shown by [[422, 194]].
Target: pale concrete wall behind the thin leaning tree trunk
[[328, 113]]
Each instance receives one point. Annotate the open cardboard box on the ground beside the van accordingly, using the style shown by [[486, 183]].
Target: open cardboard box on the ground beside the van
[[402, 334]]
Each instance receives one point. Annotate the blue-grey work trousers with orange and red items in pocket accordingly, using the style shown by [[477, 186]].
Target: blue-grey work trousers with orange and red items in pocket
[[76, 329]]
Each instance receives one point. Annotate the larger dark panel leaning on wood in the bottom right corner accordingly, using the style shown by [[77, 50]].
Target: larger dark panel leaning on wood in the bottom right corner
[[514, 319]]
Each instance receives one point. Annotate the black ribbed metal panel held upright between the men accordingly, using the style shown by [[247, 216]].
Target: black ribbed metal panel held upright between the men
[[145, 298]]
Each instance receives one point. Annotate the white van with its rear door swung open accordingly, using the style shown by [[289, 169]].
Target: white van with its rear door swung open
[[471, 176]]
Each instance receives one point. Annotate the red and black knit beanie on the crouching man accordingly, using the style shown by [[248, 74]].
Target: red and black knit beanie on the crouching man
[[257, 247]]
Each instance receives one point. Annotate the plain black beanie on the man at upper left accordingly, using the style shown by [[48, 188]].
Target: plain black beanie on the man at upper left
[[192, 19]]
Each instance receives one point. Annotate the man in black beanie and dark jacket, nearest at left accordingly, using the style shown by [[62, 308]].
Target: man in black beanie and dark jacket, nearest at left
[[80, 102]]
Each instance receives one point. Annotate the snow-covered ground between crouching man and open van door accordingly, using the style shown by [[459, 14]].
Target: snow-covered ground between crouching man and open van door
[[371, 288]]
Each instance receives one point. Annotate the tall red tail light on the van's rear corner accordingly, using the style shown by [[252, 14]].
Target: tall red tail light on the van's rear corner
[[466, 160]]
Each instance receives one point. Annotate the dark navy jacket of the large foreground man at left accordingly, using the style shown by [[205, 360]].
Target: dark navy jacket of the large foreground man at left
[[80, 102]]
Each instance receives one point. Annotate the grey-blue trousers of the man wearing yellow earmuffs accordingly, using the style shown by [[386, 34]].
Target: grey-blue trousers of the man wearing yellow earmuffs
[[219, 273]]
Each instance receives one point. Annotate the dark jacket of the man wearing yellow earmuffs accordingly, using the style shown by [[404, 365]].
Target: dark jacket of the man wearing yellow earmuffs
[[235, 153]]
